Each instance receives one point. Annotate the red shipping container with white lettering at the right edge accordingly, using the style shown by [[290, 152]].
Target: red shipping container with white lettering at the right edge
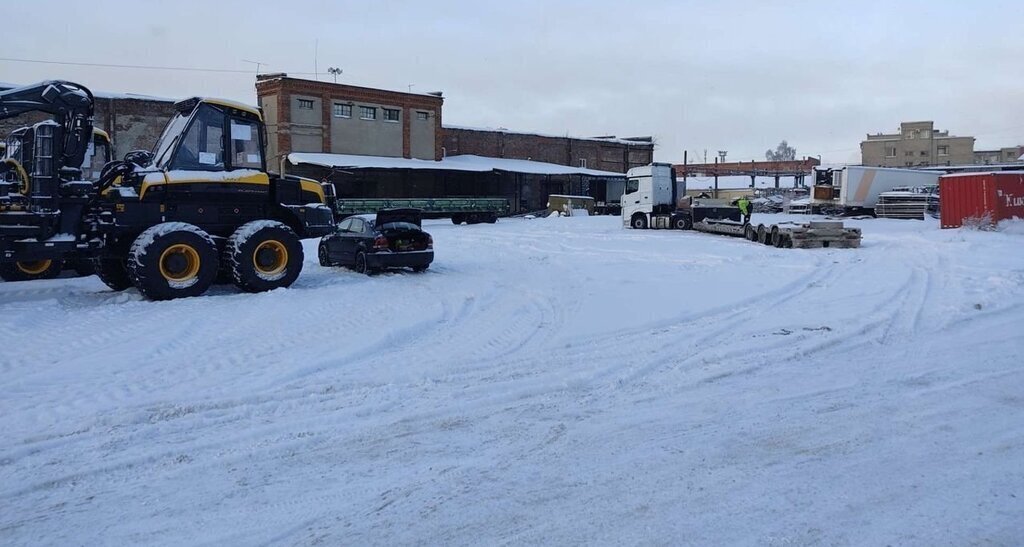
[[982, 197]]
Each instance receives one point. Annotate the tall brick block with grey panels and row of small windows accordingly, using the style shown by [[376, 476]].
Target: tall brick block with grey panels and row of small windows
[[322, 117]]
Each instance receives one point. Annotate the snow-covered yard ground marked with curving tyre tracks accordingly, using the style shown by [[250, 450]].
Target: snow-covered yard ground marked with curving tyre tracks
[[558, 382]]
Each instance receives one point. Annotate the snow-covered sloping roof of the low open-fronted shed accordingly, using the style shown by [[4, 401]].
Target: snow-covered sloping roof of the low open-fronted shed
[[479, 164]]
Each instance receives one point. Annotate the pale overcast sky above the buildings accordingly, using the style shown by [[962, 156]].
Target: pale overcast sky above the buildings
[[735, 76]]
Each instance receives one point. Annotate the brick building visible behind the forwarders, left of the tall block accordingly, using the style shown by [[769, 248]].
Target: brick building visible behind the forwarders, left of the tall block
[[134, 122]]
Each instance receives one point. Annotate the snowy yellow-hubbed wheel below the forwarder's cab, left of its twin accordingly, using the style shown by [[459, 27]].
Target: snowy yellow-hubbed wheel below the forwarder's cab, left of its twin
[[173, 261]]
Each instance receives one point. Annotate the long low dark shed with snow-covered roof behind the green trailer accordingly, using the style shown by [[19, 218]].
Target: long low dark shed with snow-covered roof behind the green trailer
[[525, 184]]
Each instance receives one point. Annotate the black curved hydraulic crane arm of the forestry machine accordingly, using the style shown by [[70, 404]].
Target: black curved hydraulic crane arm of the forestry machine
[[71, 105]]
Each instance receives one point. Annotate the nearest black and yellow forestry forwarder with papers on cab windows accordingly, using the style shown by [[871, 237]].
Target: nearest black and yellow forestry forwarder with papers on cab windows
[[170, 222]]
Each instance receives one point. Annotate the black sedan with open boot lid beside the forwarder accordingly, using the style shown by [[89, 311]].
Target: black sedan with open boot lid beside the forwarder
[[393, 238]]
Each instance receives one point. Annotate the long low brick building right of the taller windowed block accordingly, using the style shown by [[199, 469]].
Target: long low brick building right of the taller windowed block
[[606, 154]]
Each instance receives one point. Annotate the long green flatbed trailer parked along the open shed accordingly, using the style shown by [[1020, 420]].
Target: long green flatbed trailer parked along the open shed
[[470, 211]]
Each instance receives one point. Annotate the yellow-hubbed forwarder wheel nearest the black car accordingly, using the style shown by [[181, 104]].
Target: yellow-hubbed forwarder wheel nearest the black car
[[264, 256]]
